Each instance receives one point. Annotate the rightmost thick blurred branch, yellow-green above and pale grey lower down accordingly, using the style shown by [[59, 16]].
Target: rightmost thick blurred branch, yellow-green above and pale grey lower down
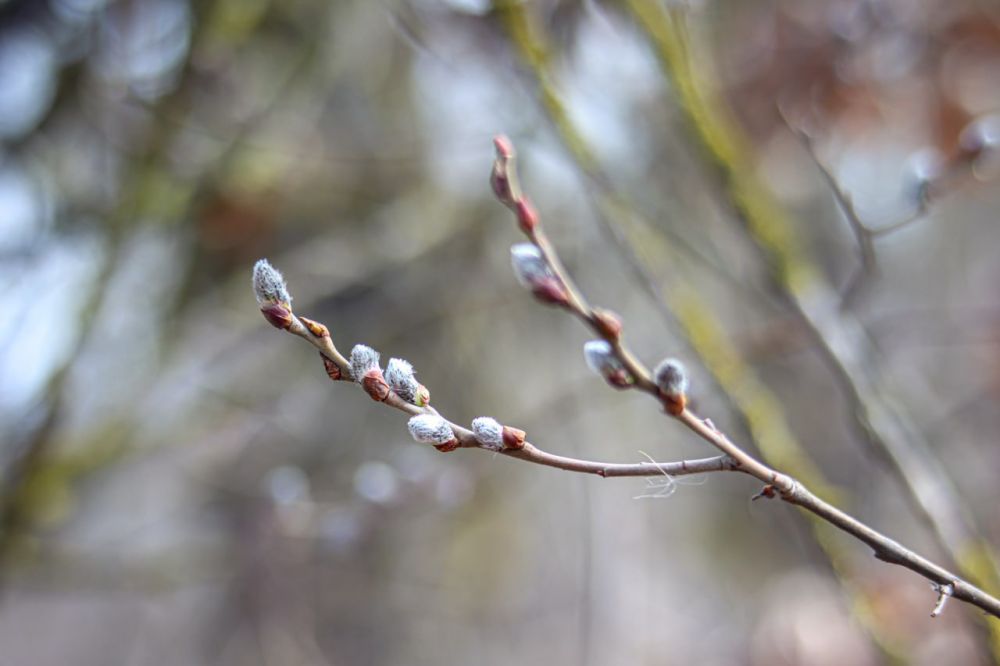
[[886, 424]]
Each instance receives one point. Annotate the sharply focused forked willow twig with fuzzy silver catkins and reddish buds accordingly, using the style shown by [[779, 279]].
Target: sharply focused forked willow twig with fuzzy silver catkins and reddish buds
[[551, 283]]
